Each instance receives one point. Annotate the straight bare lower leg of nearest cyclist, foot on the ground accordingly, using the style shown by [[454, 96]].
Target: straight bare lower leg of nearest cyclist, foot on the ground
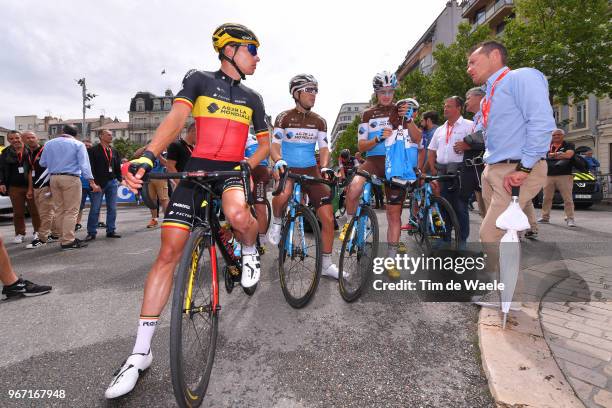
[[159, 280]]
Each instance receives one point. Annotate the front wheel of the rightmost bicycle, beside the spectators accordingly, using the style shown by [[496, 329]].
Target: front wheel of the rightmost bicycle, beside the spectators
[[440, 226]]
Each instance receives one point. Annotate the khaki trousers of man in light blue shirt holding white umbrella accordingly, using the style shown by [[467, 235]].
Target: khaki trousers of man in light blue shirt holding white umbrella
[[497, 199]]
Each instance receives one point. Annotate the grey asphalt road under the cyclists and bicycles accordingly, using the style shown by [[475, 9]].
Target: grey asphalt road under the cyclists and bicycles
[[384, 350]]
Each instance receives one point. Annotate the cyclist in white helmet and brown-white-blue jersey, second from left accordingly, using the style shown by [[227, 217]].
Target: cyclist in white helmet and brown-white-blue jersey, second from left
[[296, 134]]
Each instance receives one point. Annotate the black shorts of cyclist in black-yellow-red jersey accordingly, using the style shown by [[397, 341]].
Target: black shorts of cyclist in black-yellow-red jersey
[[187, 197]]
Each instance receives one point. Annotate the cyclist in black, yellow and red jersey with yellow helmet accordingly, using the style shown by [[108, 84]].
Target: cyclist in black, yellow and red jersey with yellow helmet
[[222, 108]]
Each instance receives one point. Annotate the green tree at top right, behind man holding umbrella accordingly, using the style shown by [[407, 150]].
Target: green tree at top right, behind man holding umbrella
[[570, 41]]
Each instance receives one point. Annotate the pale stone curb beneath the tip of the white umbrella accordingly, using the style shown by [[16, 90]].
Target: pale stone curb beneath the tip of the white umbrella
[[520, 368]]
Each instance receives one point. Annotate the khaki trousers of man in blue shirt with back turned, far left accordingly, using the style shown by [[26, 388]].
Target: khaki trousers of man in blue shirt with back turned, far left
[[66, 195]]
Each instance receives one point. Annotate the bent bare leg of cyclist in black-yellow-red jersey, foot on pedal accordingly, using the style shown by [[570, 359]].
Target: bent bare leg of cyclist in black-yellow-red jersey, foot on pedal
[[238, 215]]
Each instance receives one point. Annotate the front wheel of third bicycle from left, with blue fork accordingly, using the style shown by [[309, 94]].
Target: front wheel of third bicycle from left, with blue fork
[[359, 248]]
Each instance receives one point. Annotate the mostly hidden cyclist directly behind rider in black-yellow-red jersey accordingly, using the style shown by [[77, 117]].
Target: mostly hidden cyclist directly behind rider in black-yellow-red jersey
[[261, 177]]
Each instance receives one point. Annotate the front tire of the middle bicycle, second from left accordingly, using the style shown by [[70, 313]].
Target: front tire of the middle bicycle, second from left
[[300, 300]]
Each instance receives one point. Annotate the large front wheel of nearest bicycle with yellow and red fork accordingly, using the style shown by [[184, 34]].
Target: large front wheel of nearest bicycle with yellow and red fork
[[194, 320]]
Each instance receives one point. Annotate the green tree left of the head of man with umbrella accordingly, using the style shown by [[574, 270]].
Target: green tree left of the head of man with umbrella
[[449, 77]]
